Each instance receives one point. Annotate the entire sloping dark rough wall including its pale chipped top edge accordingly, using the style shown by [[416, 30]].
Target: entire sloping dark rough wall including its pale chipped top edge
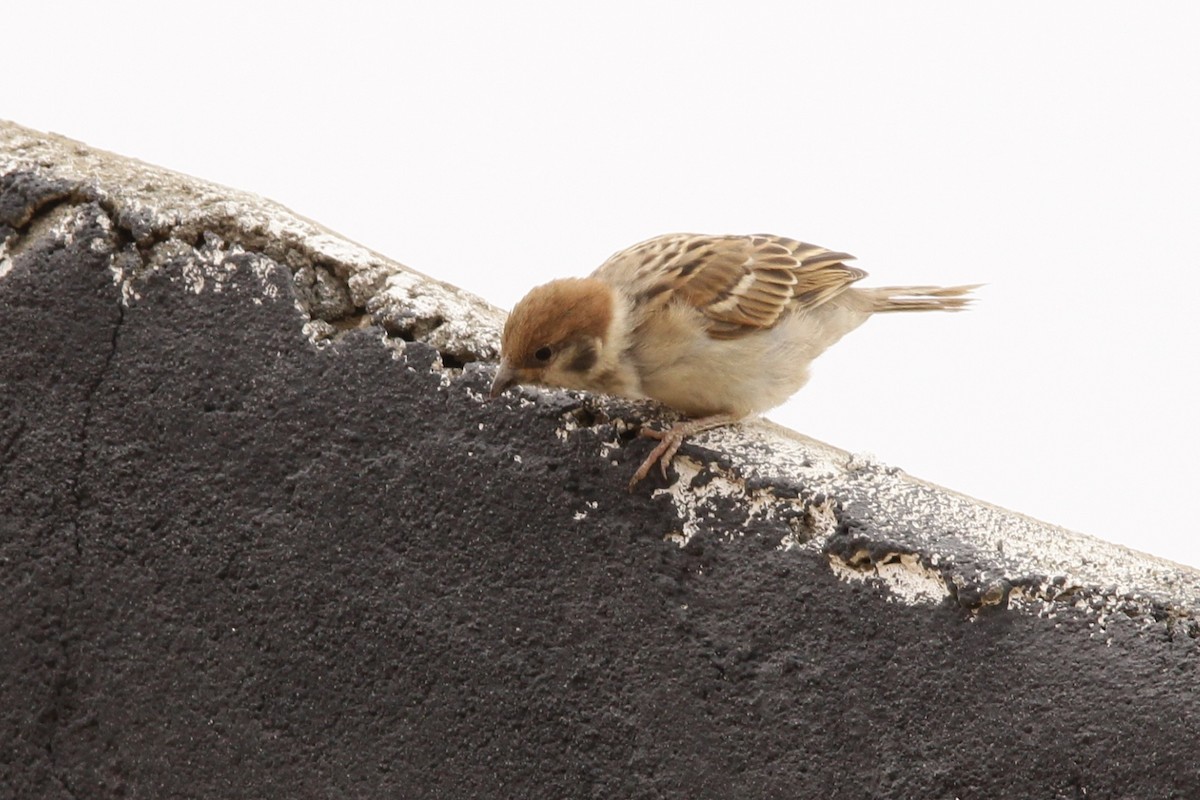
[[262, 537]]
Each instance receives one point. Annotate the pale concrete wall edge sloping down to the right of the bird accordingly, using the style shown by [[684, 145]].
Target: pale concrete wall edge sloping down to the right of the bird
[[911, 537]]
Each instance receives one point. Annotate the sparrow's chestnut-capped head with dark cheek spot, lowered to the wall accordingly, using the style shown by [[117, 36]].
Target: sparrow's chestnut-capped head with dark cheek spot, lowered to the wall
[[556, 336]]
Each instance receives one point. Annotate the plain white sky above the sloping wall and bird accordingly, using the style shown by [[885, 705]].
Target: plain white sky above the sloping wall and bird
[[1051, 151]]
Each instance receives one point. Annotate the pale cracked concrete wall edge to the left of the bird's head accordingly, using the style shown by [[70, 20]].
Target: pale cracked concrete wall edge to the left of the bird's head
[[167, 216]]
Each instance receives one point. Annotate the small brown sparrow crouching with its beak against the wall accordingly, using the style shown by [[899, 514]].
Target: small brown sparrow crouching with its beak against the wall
[[718, 328]]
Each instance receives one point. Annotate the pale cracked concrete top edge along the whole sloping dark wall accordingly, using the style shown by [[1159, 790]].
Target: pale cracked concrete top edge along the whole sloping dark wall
[[874, 524]]
